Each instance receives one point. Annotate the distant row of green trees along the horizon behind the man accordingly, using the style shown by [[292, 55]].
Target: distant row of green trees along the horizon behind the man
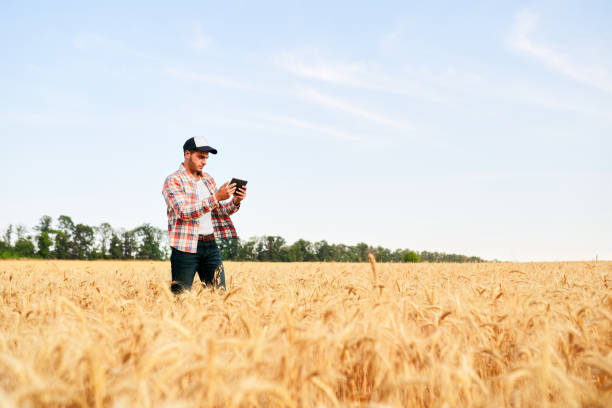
[[66, 239]]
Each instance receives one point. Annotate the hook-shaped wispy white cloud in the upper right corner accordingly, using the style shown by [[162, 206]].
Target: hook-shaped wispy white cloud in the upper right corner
[[593, 75]]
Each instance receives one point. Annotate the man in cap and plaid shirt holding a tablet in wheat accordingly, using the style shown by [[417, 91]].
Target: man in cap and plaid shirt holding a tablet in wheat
[[197, 216]]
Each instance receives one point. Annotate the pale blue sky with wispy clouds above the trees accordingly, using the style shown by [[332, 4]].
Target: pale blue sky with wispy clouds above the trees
[[472, 127]]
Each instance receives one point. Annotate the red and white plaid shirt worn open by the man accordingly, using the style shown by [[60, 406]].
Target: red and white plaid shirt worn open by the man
[[185, 210]]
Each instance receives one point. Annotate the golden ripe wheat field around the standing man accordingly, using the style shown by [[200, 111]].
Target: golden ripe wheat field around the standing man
[[110, 334]]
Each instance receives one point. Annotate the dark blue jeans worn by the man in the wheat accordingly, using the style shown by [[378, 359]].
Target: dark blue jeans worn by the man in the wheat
[[206, 262]]
